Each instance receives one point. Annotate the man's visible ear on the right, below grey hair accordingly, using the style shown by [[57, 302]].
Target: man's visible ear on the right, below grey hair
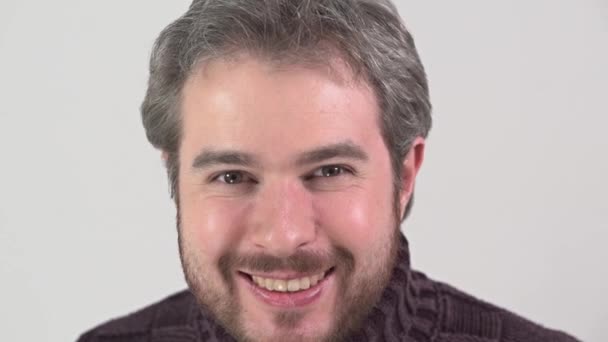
[[411, 165]]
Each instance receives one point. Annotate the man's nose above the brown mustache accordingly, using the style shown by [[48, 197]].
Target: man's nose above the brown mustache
[[282, 220]]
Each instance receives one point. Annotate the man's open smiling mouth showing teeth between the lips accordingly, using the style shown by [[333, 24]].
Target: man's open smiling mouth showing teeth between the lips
[[287, 285]]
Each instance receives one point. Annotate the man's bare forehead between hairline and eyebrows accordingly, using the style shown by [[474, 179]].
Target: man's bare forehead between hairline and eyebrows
[[264, 108]]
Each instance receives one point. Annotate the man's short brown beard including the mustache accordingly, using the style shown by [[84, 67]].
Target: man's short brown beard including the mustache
[[359, 287]]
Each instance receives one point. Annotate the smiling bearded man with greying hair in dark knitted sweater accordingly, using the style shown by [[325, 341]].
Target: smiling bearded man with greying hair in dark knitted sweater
[[292, 132]]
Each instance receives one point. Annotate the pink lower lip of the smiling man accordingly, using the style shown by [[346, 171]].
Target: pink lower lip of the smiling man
[[289, 299]]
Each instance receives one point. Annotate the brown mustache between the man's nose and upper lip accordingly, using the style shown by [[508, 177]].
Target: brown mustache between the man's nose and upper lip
[[301, 261]]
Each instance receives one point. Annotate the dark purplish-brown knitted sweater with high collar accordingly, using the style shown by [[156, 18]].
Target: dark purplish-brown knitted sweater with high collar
[[413, 308]]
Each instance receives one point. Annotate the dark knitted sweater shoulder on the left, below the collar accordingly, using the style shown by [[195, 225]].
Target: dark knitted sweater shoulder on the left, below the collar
[[170, 313]]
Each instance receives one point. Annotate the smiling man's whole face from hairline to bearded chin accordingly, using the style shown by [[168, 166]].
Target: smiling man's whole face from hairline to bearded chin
[[286, 206]]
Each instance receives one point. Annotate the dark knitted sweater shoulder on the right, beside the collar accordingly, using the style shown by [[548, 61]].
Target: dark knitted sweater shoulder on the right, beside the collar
[[464, 316]]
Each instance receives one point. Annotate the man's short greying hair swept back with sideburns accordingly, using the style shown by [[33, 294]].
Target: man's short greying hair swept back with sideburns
[[368, 35]]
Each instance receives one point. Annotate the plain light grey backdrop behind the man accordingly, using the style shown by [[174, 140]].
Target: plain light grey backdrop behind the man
[[511, 204]]
